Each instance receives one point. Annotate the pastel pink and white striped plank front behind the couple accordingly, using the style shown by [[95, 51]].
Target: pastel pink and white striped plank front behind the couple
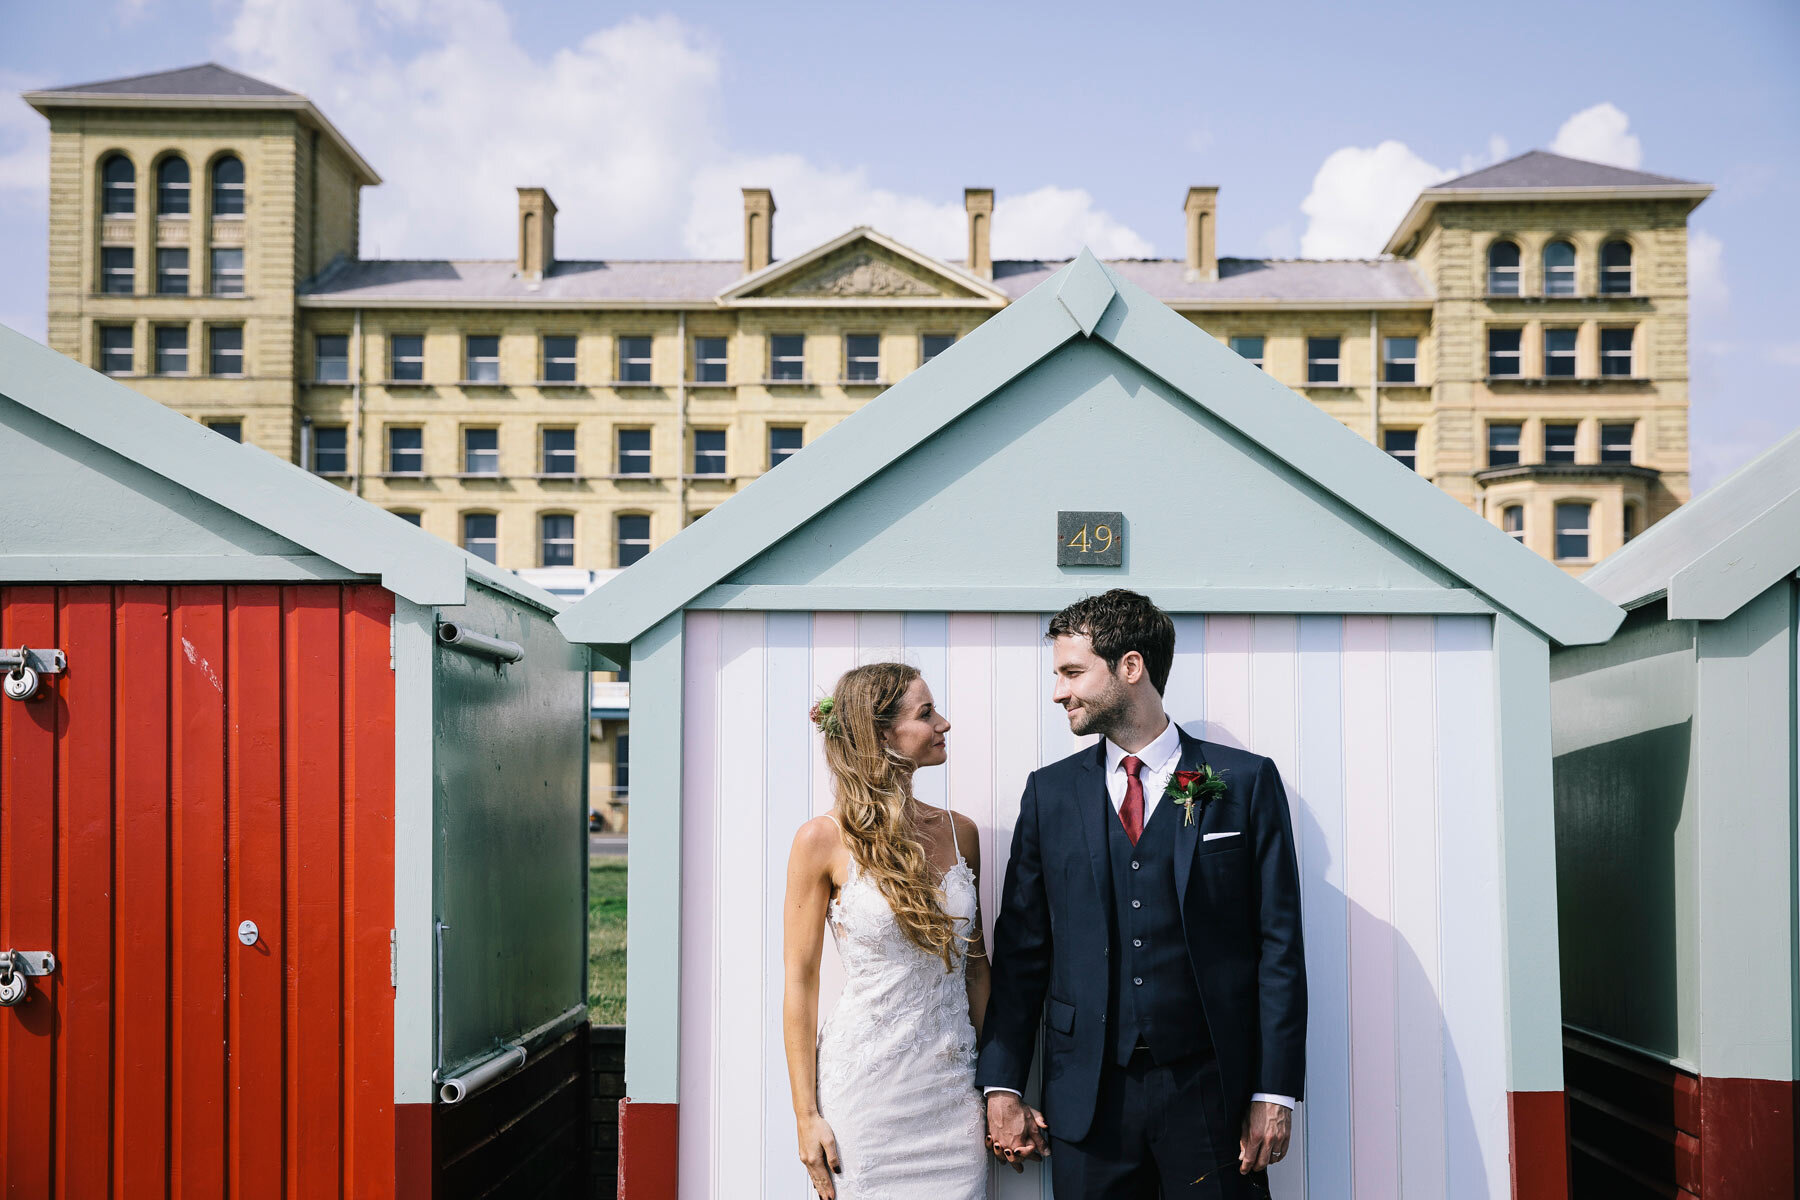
[[1383, 730]]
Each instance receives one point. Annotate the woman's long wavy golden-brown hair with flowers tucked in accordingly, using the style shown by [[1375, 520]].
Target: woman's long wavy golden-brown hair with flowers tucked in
[[874, 787]]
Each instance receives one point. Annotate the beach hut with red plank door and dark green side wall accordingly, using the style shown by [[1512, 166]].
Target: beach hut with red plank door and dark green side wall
[[292, 854]]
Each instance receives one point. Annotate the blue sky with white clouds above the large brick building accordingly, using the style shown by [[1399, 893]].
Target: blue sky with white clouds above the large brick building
[[1317, 121]]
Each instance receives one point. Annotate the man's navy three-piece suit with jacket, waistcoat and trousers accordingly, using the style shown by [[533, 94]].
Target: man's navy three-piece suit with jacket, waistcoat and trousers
[[1059, 951]]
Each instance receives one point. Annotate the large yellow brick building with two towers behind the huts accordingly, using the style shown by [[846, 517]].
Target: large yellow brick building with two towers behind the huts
[[1522, 341]]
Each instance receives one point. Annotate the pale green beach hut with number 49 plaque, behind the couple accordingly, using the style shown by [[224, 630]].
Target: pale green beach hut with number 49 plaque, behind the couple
[[1336, 613]]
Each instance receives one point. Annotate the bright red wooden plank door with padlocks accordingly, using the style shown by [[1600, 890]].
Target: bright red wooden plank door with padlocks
[[213, 755]]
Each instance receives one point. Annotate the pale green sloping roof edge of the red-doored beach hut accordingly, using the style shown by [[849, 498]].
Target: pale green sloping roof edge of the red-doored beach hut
[[253, 483]]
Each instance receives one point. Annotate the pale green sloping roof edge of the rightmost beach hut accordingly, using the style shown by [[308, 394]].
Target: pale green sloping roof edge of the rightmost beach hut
[[1718, 551]]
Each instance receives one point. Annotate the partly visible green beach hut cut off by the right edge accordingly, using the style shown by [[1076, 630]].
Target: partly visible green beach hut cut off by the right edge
[[1677, 859]]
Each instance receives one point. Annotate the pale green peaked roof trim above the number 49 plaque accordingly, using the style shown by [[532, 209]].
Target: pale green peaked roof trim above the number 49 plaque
[[1090, 300]]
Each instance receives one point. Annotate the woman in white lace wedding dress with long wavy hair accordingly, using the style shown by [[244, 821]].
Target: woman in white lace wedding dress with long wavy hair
[[886, 1098]]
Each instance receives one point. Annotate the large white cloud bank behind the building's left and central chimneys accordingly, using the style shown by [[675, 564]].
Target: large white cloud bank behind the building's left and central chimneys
[[624, 129]]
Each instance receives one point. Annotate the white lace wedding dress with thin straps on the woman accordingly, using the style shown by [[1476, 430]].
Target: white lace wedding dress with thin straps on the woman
[[897, 1057]]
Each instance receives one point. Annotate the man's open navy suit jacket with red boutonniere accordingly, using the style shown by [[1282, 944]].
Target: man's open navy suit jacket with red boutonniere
[[1239, 899]]
